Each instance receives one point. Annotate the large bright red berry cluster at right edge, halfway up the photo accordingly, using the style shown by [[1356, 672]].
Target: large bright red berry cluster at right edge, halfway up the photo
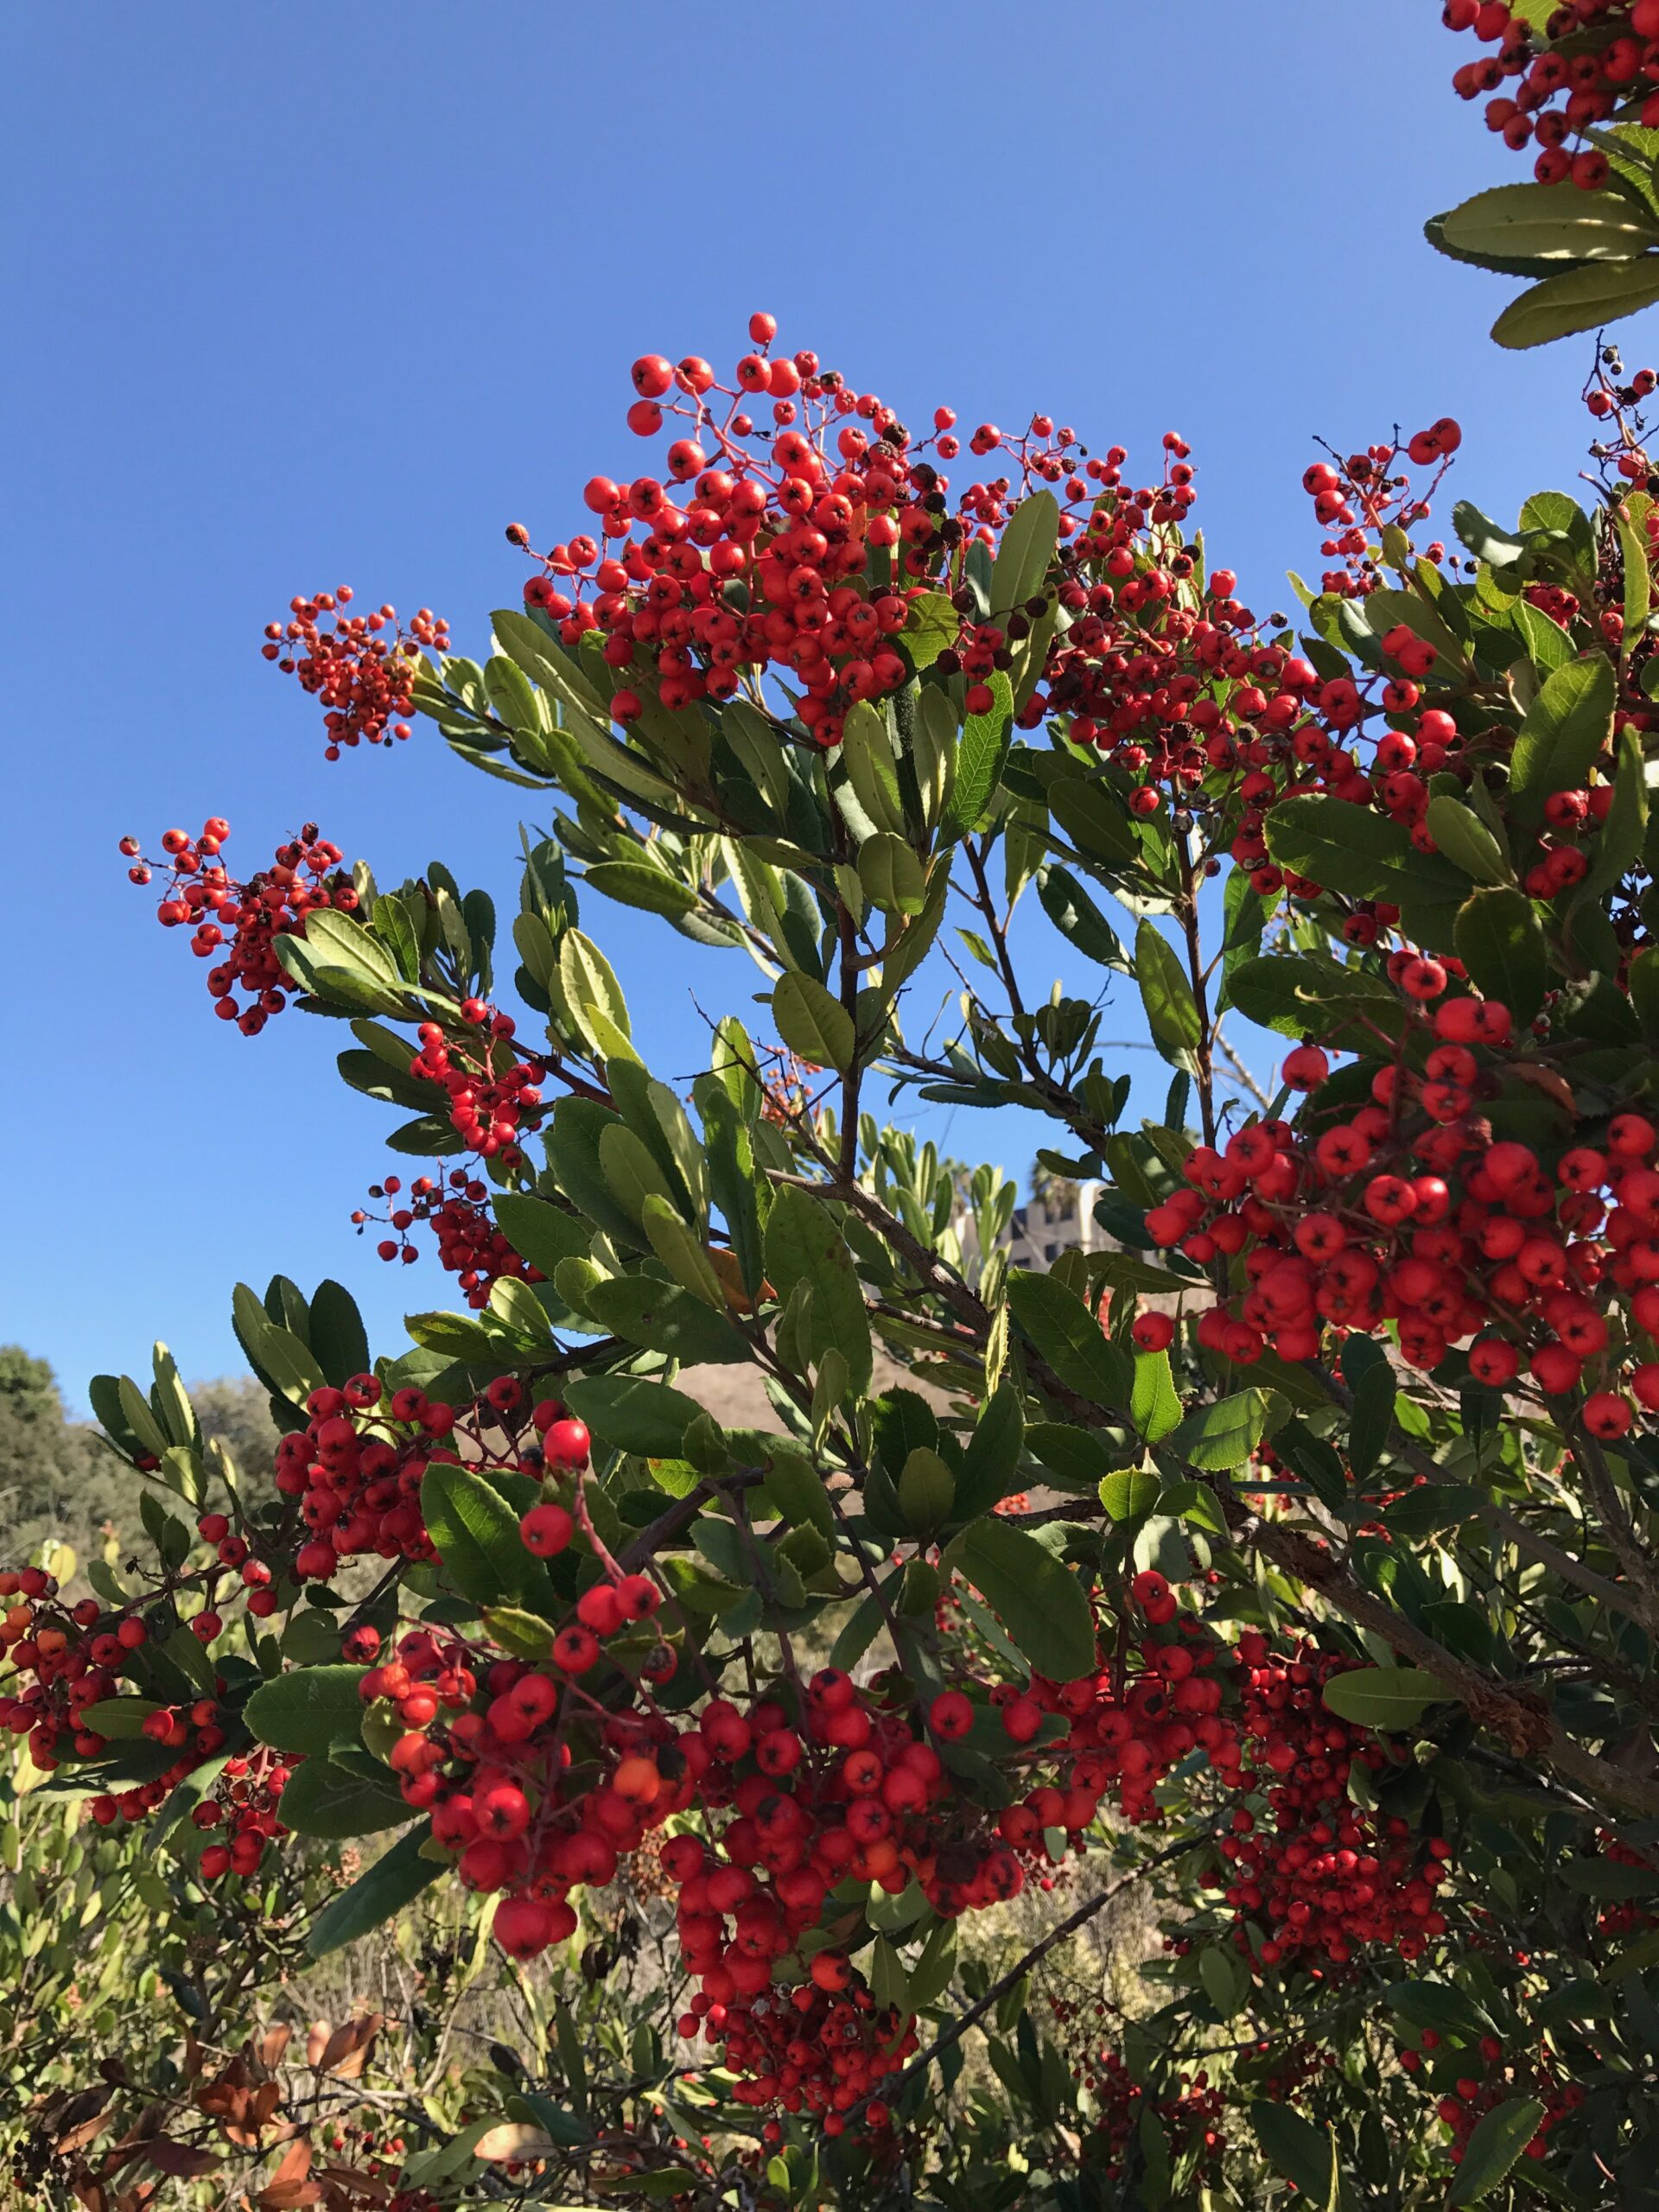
[[1410, 1211]]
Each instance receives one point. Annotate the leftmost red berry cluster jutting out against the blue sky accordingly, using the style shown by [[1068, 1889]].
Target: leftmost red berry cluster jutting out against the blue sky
[[244, 919]]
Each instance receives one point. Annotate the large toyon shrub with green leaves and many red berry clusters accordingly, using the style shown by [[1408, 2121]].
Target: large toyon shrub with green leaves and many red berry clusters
[[1284, 1558]]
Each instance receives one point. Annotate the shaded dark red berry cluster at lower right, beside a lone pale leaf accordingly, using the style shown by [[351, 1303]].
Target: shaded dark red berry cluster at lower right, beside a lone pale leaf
[[1328, 1879]]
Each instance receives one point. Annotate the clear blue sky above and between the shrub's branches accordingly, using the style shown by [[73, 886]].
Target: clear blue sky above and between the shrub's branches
[[315, 300]]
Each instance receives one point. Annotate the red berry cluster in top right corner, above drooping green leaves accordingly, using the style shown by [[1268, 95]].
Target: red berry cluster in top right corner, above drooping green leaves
[[1585, 65]]
